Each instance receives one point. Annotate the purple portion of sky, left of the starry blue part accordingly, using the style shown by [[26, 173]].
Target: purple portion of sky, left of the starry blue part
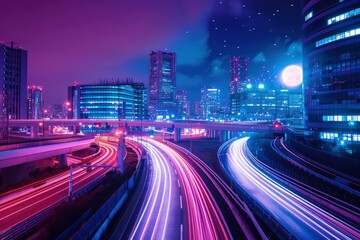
[[70, 40]]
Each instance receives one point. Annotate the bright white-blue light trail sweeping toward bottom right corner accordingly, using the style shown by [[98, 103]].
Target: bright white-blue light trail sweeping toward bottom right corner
[[302, 218]]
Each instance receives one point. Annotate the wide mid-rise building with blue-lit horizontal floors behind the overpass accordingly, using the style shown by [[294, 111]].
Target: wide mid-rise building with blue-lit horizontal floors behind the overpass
[[108, 100]]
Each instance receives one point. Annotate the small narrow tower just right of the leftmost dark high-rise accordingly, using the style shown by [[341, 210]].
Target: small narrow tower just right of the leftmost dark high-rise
[[35, 102]]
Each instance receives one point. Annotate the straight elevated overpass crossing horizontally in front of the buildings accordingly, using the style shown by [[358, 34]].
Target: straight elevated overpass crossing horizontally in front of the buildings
[[214, 129]]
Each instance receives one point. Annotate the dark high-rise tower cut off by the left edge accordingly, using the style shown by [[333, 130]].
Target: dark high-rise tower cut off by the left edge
[[13, 81]]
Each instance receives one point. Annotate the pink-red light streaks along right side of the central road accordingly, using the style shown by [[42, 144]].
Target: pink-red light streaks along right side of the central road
[[205, 220]]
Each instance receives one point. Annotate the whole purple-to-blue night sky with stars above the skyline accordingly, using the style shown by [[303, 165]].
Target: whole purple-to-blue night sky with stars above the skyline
[[89, 40]]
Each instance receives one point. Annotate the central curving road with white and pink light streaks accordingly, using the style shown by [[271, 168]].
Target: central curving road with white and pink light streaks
[[185, 199]]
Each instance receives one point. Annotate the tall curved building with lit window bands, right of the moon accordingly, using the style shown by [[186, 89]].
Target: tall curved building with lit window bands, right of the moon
[[331, 66]]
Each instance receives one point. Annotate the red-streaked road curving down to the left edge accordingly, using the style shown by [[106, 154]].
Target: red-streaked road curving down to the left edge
[[20, 204]]
